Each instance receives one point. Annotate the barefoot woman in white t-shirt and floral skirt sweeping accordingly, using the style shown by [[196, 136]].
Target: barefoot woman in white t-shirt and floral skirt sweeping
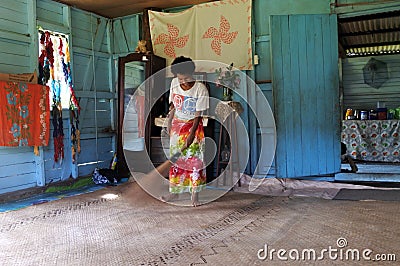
[[188, 100]]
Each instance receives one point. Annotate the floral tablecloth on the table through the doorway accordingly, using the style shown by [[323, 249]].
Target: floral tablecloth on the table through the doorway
[[372, 140]]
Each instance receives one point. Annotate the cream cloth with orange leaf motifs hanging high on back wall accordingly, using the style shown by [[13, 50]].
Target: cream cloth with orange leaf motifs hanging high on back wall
[[218, 31]]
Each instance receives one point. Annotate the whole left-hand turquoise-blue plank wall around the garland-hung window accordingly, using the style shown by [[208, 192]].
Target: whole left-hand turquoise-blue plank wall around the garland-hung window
[[94, 75]]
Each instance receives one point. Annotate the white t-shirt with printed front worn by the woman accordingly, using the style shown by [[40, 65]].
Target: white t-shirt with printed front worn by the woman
[[188, 102]]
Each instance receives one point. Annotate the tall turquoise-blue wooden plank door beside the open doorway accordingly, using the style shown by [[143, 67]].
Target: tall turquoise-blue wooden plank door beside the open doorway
[[305, 78]]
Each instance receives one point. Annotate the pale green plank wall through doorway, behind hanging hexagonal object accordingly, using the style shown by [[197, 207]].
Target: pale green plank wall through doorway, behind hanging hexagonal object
[[359, 95]]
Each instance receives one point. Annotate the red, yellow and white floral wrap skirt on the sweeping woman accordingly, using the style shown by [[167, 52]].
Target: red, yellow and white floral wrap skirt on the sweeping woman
[[188, 173]]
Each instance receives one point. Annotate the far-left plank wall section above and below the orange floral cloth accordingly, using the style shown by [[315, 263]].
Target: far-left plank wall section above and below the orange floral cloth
[[17, 167]]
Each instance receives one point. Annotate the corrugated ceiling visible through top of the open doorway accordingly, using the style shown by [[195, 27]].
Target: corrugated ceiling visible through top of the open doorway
[[368, 35]]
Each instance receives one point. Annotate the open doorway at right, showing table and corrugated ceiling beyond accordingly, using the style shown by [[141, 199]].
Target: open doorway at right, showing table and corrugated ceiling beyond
[[369, 51]]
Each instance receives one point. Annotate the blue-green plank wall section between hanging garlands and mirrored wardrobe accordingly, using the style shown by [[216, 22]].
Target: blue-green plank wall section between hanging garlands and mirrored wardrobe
[[95, 86]]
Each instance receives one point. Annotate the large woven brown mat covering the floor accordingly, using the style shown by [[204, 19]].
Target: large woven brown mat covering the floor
[[125, 226]]
